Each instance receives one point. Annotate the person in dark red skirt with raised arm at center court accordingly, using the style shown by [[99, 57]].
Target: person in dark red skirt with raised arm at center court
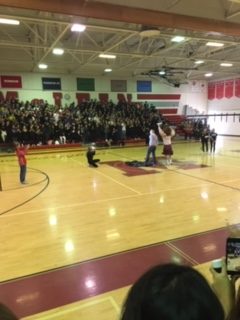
[[167, 133]]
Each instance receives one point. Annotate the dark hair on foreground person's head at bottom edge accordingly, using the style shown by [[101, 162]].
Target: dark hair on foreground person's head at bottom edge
[[172, 292]]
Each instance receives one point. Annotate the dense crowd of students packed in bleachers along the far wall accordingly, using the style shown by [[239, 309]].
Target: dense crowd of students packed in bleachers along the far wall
[[42, 123]]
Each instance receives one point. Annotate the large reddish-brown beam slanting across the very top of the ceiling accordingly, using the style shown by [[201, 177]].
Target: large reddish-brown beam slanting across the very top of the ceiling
[[106, 11]]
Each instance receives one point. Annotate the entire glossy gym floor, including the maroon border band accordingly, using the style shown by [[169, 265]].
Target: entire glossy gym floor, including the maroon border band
[[74, 238]]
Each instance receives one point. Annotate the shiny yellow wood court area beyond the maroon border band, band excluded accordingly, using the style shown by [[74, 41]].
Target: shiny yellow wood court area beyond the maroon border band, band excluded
[[69, 212]]
